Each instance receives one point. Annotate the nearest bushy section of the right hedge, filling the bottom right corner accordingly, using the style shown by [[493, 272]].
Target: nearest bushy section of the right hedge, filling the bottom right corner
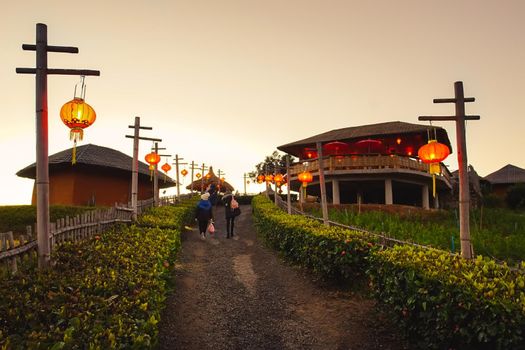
[[445, 302]]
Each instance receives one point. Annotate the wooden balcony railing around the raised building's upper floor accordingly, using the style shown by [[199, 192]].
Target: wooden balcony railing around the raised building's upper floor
[[335, 165]]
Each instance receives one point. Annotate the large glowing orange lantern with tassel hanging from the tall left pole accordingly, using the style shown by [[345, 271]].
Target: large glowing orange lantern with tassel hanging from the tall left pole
[[77, 115]]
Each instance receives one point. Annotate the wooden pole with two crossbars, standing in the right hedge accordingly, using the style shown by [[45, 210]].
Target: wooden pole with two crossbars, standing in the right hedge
[[464, 195]]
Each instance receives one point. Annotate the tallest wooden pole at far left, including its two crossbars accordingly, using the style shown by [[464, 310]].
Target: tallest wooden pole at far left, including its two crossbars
[[42, 142]]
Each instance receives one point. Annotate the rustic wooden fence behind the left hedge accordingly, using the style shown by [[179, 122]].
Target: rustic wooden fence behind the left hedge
[[66, 229]]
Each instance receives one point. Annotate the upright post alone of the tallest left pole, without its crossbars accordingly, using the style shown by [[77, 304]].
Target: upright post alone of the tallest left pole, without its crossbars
[[42, 162]]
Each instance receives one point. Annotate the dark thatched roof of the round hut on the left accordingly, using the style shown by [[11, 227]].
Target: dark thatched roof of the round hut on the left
[[94, 156]]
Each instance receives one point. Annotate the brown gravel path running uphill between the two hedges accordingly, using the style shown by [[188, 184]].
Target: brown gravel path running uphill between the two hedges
[[238, 294]]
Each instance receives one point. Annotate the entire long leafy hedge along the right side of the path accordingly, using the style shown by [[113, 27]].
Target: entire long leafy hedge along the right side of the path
[[442, 301]]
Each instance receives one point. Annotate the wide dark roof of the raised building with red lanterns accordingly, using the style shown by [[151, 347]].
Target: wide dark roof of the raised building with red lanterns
[[365, 131]]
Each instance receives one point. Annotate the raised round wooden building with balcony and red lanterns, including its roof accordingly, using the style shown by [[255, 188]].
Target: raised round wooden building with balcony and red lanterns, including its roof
[[372, 164]]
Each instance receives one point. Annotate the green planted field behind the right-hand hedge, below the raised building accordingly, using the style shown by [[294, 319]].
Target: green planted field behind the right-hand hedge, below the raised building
[[495, 232]]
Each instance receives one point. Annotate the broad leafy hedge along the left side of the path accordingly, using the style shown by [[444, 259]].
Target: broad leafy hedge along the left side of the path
[[103, 293]]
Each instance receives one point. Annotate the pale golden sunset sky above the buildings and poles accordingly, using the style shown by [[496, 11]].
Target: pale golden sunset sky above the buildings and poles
[[225, 82]]
